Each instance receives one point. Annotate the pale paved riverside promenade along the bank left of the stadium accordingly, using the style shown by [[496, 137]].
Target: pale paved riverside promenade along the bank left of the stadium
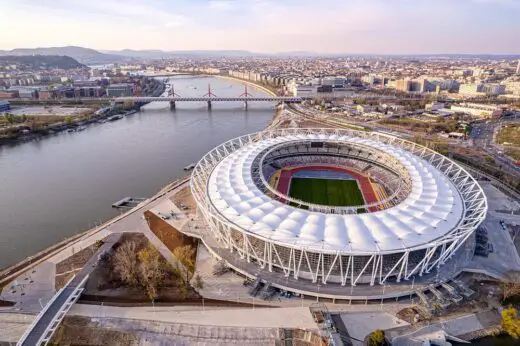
[[30, 289]]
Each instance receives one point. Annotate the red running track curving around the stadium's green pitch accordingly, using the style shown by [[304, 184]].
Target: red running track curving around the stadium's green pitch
[[364, 182]]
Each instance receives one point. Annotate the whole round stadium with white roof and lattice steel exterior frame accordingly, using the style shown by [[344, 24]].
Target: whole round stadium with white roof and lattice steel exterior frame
[[338, 207]]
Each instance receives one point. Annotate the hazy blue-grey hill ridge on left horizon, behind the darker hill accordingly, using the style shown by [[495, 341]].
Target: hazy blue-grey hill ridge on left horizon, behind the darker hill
[[83, 55]]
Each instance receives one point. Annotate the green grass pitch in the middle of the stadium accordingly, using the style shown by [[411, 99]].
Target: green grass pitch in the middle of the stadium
[[326, 191]]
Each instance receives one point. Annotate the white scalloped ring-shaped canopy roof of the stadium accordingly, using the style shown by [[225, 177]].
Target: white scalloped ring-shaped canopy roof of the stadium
[[432, 209]]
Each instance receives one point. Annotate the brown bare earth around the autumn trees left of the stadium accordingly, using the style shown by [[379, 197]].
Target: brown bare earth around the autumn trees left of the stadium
[[104, 286]]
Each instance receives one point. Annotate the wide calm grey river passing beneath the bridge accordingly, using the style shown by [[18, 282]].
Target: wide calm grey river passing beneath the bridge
[[60, 185]]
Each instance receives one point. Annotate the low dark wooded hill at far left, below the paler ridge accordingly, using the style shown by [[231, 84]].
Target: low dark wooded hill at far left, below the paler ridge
[[42, 61]]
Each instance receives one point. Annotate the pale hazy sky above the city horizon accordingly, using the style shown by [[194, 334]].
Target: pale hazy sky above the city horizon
[[266, 26]]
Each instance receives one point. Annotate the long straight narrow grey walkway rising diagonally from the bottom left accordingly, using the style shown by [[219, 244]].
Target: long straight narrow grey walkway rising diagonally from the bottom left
[[47, 318]]
